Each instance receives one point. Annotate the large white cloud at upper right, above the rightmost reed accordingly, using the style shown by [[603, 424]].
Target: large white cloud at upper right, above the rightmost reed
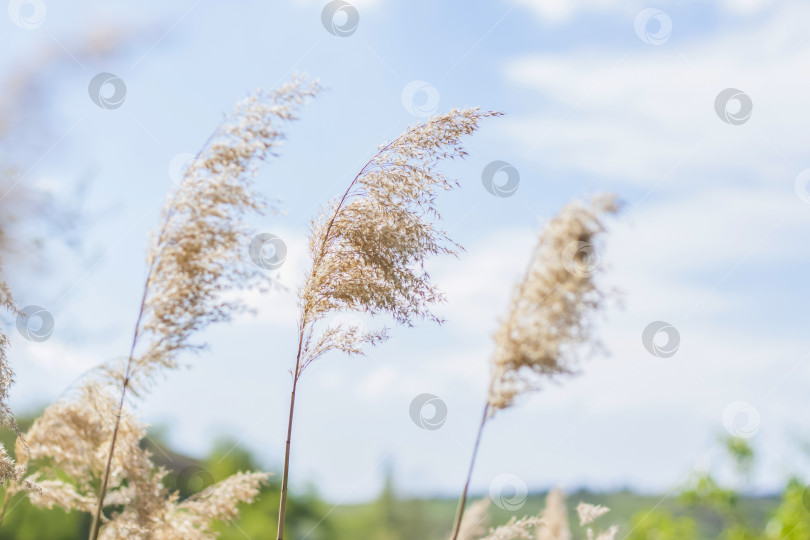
[[646, 116]]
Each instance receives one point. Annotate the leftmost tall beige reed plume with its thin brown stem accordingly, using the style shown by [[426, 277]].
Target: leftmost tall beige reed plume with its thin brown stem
[[197, 253]]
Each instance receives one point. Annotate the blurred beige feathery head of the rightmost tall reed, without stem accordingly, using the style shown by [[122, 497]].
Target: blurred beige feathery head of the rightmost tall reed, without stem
[[550, 315]]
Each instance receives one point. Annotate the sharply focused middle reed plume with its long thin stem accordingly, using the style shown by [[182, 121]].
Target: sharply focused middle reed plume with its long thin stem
[[368, 247]]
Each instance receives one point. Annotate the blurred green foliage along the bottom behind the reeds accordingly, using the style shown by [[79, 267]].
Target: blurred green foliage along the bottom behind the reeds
[[704, 510]]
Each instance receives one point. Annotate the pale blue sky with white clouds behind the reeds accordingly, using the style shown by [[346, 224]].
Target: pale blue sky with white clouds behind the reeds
[[711, 240]]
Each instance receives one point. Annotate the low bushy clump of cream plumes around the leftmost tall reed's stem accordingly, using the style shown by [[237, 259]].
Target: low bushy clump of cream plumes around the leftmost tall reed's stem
[[69, 444]]
